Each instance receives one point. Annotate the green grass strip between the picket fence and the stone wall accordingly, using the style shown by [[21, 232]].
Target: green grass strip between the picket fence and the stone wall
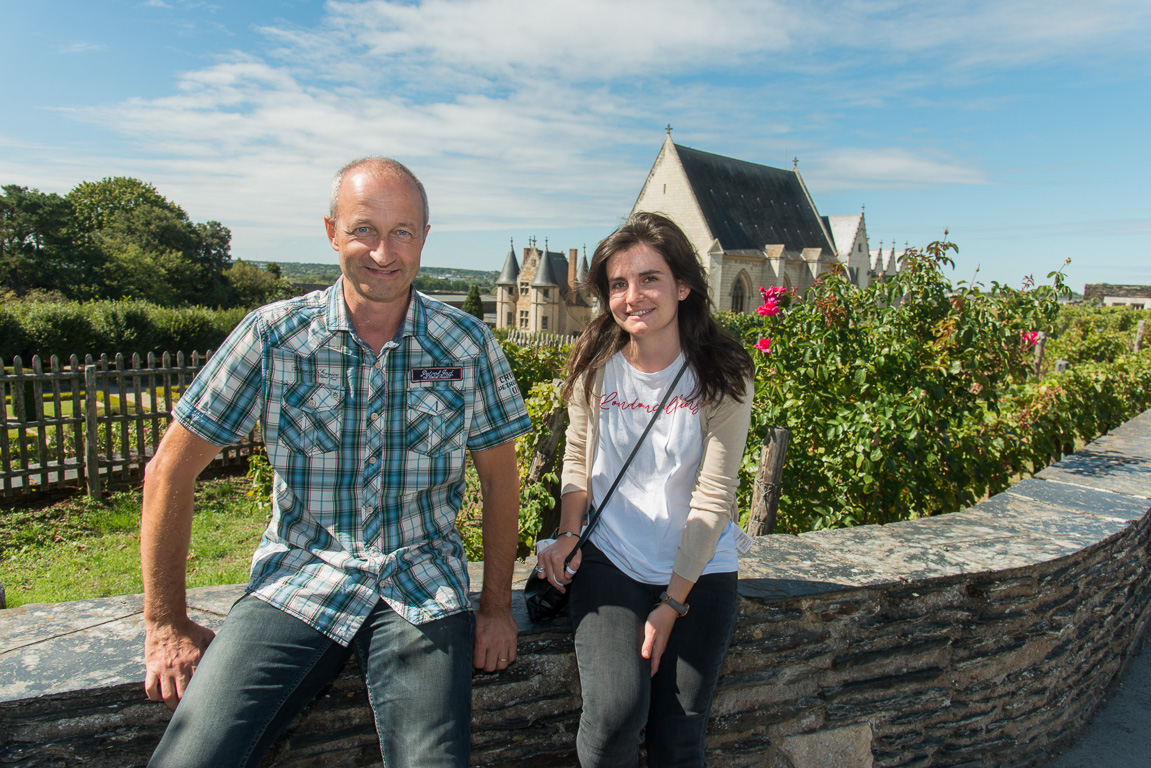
[[77, 549]]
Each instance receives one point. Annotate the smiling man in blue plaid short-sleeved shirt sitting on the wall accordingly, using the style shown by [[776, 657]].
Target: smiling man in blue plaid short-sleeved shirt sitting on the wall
[[369, 396]]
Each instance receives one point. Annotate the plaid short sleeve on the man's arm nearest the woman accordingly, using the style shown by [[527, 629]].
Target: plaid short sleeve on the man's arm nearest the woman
[[500, 414]]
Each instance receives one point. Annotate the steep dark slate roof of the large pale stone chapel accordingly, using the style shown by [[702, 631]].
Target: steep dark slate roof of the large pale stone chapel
[[749, 206]]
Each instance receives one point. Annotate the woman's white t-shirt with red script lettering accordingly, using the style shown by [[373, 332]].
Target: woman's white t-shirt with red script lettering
[[644, 520]]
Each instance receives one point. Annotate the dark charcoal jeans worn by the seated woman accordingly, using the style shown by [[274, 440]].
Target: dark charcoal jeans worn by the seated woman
[[621, 697]]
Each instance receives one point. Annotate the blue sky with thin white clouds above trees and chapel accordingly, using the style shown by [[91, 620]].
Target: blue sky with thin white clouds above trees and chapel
[[1022, 126]]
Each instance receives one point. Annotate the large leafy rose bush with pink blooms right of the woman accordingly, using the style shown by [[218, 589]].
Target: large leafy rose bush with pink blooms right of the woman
[[889, 392]]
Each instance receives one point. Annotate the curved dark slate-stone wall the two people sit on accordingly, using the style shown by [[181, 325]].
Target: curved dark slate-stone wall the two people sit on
[[980, 638]]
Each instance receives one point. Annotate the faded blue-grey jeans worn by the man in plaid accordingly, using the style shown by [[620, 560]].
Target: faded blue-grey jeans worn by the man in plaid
[[265, 667]]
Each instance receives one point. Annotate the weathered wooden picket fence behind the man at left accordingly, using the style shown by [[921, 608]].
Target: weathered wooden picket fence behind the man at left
[[86, 424]]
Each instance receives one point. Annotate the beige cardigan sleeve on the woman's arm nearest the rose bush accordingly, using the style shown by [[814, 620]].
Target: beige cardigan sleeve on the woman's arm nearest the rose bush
[[714, 497]]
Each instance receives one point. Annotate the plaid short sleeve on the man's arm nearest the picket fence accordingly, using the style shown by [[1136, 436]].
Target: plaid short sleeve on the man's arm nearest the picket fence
[[226, 398]]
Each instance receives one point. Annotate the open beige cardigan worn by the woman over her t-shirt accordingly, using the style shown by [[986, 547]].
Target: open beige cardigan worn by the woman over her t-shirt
[[725, 425]]
